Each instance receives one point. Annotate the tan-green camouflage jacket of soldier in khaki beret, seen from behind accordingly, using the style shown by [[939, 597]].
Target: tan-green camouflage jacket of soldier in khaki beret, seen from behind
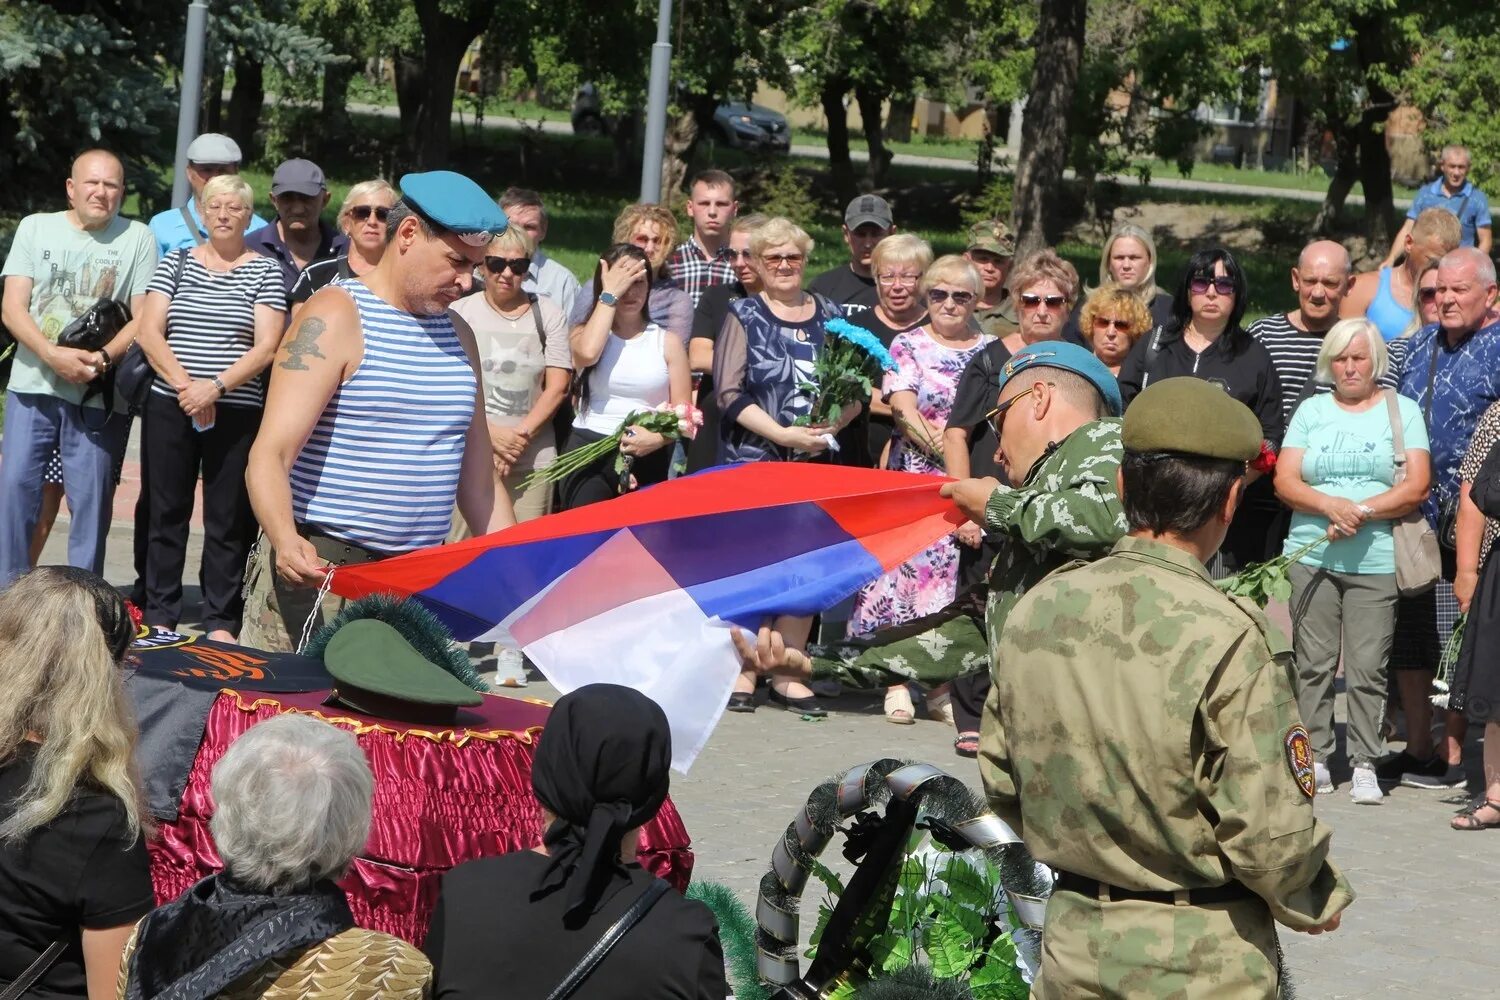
[[1144, 732]]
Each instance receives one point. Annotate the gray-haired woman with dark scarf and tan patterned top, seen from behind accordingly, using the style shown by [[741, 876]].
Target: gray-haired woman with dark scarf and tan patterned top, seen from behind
[[292, 810]]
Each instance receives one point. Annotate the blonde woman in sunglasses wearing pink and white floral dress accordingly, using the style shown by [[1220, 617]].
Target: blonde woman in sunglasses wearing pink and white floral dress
[[920, 392]]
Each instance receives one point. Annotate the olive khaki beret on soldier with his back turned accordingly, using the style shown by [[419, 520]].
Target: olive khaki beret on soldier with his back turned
[[1190, 416]]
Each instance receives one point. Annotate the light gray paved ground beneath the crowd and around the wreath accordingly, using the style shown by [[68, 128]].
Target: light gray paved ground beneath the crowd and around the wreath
[[1421, 927]]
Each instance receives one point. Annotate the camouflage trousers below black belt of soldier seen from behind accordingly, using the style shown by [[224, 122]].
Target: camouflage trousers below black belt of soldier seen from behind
[[1132, 948]]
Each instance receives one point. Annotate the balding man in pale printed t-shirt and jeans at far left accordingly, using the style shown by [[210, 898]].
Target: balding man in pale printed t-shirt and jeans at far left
[[61, 265]]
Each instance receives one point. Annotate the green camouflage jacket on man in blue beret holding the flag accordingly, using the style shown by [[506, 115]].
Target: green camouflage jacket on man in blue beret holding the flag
[[1067, 509]]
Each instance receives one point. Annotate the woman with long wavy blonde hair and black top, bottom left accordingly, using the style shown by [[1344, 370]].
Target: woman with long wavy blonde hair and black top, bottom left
[[74, 873]]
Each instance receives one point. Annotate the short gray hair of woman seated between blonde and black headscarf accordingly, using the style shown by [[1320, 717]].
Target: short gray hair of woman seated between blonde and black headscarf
[[292, 804]]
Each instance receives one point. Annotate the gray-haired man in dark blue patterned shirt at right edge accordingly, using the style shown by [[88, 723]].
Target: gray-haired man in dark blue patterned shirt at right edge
[[1453, 371]]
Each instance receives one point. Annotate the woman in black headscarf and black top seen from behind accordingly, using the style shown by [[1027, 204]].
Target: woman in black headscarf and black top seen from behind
[[529, 920]]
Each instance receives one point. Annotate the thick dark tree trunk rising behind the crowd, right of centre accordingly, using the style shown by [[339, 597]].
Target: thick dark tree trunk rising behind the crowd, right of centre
[[1045, 128]]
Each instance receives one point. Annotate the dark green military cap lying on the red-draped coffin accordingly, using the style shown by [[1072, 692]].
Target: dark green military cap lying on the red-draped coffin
[[380, 674]]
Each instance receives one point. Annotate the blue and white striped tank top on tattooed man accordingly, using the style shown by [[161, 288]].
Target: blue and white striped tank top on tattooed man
[[382, 467]]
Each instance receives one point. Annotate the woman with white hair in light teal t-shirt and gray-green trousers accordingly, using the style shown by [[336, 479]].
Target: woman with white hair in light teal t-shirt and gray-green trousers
[[1336, 472]]
